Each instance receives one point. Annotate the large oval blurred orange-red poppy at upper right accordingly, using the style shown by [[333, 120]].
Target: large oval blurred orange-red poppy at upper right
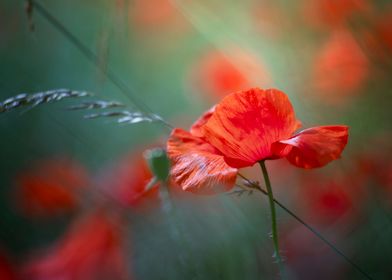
[[340, 68]]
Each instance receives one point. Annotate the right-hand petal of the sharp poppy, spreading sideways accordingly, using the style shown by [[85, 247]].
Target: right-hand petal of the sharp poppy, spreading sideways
[[314, 147]]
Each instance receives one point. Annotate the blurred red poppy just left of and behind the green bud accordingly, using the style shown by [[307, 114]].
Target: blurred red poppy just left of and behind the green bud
[[127, 182]]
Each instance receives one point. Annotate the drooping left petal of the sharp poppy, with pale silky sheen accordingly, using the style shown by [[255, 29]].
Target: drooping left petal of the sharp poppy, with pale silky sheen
[[197, 166]]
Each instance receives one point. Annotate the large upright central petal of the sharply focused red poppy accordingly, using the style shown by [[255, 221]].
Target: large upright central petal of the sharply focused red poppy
[[246, 123]]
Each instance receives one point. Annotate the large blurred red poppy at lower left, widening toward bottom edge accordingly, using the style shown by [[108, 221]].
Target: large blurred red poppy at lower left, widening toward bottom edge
[[91, 249]]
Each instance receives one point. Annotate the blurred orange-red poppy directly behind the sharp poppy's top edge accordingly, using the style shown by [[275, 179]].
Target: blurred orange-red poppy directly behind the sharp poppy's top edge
[[219, 73]]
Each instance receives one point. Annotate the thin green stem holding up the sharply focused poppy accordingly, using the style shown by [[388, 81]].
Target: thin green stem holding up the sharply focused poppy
[[273, 216]]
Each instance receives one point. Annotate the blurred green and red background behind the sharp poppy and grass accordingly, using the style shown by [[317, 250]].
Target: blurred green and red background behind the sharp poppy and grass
[[73, 203]]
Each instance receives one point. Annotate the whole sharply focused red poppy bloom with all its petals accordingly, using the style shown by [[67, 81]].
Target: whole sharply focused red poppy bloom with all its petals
[[247, 127]]
